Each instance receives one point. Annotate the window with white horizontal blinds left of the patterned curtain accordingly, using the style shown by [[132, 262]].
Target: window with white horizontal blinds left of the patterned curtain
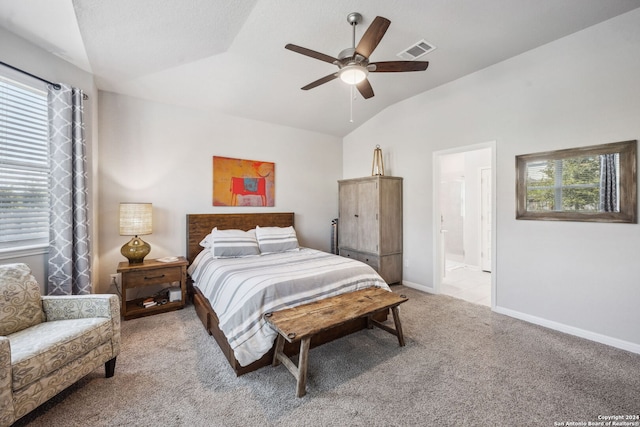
[[24, 165]]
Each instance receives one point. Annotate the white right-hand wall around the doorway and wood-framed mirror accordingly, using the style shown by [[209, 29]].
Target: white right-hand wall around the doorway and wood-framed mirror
[[583, 278]]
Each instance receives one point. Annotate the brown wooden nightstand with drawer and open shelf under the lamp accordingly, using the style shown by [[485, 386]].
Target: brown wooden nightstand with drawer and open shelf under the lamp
[[151, 272]]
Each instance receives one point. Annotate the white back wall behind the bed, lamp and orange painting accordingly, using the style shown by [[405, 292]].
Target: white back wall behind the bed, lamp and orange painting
[[162, 154]]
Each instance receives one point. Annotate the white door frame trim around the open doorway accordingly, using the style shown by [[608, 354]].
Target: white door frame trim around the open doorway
[[438, 255]]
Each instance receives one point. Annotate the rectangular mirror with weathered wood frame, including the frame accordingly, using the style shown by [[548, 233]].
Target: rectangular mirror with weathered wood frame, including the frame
[[596, 183]]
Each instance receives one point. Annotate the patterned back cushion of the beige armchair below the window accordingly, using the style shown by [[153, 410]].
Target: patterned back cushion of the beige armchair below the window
[[20, 305]]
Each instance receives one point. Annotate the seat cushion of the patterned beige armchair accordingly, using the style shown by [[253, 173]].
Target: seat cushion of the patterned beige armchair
[[41, 349]]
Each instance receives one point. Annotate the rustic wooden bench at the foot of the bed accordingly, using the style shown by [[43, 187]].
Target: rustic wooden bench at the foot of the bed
[[301, 323]]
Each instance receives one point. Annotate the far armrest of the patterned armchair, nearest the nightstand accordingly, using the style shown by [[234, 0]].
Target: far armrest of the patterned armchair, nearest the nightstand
[[64, 307]]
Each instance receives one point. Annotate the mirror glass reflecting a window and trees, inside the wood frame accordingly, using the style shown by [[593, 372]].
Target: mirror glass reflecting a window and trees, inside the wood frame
[[578, 184]]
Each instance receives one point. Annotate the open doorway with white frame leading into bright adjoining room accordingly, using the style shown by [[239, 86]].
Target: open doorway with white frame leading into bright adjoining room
[[463, 208]]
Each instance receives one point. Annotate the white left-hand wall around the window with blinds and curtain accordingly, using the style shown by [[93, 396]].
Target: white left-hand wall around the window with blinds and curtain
[[24, 55]]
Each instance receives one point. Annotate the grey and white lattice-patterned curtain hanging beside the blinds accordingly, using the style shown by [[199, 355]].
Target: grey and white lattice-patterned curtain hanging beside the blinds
[[69, 248]]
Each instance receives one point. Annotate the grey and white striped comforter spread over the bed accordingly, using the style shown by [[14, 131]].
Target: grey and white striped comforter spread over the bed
[[241, 290]]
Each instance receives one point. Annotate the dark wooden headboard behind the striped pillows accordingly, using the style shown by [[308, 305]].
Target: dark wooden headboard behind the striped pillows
[[199, 225]]
